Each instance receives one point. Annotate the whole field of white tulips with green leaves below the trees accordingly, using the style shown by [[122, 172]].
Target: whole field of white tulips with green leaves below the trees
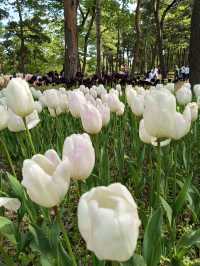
[[99, 176]]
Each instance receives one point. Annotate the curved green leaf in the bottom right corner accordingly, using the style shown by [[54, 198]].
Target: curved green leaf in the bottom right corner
[[187, 241]]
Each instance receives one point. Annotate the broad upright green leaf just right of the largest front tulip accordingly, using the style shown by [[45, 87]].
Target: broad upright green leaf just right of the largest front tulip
[[152, 239]]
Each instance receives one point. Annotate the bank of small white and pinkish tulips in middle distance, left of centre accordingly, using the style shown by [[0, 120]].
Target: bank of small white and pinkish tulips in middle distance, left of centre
[[93, 106]]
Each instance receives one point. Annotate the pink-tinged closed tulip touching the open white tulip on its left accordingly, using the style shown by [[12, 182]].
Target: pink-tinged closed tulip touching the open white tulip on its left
[[80, 152]]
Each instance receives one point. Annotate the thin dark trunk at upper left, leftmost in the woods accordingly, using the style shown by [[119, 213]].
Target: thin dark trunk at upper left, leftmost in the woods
[[22, 39]]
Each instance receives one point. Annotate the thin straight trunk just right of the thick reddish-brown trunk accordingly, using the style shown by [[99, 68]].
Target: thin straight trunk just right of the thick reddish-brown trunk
[[98, 36]]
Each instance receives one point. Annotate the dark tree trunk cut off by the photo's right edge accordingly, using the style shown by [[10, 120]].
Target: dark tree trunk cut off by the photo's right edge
[[194, 56]]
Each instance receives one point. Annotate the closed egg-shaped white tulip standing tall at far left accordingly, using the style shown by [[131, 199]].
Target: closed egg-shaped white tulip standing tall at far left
[[19, 97]]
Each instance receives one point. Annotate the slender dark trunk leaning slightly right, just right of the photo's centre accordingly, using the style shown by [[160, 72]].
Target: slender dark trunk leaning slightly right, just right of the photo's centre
[[136, 60]]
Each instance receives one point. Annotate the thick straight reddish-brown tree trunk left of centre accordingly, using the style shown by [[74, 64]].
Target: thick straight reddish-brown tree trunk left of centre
[[71, 39]]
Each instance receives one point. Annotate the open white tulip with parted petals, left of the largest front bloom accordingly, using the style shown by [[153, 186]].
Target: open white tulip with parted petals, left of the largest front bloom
[[46, 178]]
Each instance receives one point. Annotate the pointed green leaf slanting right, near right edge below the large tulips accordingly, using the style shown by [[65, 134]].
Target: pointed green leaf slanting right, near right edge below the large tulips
[[181, 198]]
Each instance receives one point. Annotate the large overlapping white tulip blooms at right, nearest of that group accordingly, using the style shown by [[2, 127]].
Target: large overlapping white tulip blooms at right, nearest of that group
[[161, 120]]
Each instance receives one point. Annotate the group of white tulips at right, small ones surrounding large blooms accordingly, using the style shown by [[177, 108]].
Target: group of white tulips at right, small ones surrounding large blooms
[[158, 109]]
